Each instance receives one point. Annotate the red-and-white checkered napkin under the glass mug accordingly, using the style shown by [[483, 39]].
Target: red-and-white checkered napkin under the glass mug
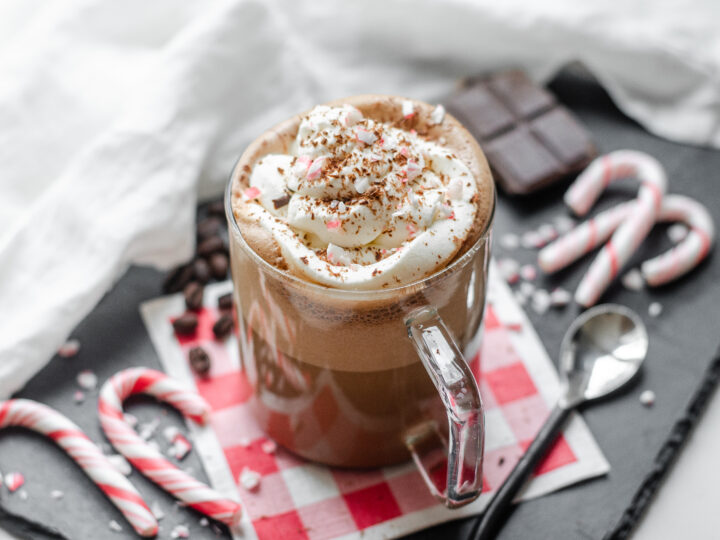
[[302, 500]]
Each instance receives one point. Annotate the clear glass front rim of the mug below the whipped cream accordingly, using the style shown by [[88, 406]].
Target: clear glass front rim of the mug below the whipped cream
[[457, 264]]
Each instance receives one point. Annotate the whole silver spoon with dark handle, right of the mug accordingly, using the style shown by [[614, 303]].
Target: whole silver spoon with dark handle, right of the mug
[[602, 350]]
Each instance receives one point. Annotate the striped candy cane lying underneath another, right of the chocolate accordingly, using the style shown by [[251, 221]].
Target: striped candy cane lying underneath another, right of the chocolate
[[657, 271]]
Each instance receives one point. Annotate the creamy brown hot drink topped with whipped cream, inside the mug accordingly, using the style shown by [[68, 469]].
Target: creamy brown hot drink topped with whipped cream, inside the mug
[[343, 220]]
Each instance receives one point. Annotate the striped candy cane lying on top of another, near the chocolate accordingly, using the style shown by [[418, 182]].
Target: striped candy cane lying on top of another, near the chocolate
[[633, 230]]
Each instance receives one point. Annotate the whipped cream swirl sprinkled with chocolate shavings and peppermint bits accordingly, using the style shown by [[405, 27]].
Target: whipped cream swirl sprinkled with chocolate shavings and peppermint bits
[[359, 204]]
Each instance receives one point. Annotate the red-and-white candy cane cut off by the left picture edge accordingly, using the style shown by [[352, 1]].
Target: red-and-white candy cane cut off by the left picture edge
[[43, 419]]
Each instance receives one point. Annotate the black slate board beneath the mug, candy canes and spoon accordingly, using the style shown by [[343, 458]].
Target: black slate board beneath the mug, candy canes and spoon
[[683, 341]]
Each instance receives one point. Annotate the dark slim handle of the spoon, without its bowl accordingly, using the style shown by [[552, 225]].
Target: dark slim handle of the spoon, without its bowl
[[501, 506]]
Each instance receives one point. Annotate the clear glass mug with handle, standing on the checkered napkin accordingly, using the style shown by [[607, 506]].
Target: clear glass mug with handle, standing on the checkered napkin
[[366, 378]]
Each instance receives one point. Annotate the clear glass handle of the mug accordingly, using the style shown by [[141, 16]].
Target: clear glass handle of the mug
[[459, 392]]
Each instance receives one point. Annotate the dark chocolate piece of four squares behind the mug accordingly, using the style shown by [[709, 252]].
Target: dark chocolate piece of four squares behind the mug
[[530, 140]]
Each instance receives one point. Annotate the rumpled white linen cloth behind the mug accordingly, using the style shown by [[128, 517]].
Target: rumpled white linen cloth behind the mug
[[116, 116]]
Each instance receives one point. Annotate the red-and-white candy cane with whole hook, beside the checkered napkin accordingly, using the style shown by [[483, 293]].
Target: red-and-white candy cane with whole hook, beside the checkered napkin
[[148, 460]]
